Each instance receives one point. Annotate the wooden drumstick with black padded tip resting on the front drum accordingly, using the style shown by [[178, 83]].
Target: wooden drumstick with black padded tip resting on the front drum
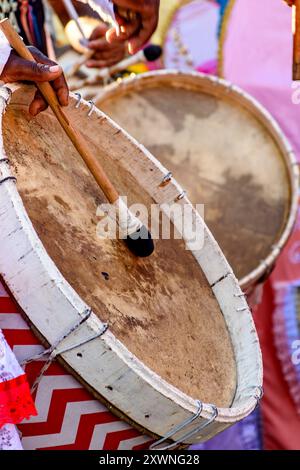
[[137, 237]]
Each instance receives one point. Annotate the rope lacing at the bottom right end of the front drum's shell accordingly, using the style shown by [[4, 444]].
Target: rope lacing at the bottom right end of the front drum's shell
[[182, 426]]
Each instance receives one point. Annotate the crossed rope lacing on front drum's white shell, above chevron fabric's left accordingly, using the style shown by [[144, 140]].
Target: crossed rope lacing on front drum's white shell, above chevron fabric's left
[[52, 352]]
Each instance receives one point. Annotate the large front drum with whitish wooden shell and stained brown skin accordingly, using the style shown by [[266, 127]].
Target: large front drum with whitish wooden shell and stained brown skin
[[180, 357]]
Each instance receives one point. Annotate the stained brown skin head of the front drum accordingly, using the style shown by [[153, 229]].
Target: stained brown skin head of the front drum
[[161, 308]]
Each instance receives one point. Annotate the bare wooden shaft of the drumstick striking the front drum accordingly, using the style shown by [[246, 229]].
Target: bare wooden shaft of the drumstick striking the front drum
[[78, 141]]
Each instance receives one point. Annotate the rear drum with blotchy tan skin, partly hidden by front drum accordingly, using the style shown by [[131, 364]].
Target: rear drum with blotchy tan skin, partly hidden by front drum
[[226, 151]]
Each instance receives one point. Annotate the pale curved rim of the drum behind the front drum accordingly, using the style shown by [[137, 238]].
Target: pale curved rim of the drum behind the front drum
[[266, 120]]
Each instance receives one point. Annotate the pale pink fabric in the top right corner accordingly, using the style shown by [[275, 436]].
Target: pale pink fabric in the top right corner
[[258, 57]]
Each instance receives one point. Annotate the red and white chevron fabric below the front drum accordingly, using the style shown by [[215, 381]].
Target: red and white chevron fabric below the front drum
[[68, 416]]
